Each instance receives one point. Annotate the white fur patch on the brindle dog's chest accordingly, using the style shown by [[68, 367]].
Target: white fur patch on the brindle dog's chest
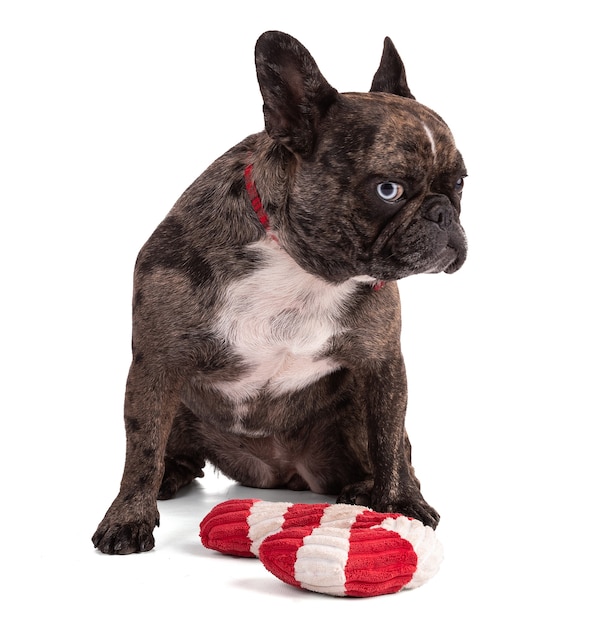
[[279, 320]]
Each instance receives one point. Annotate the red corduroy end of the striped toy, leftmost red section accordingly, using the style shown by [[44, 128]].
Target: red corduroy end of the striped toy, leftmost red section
[[226, 528]]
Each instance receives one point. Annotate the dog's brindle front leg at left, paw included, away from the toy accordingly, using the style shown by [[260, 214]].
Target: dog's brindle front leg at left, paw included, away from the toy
[[150, 405]]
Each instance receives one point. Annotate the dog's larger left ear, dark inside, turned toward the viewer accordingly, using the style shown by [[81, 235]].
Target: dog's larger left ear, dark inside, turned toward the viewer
[[296, 95]]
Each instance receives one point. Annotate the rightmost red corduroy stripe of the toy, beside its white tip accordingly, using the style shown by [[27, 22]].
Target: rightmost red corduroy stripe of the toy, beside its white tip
[[367, 576]]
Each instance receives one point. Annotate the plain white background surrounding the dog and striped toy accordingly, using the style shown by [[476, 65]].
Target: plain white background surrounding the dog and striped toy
[[110, 109]]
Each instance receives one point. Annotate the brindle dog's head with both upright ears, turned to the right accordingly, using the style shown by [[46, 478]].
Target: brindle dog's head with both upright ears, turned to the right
[[375, 178]]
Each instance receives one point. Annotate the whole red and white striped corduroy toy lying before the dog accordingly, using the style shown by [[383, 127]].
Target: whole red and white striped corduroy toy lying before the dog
[[336, 549]]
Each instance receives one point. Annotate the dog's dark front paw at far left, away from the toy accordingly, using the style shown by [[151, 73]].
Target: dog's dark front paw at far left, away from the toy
[[114, 536]]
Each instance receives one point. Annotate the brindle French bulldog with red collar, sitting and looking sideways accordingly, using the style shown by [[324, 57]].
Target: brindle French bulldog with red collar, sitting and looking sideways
[[266, 314]]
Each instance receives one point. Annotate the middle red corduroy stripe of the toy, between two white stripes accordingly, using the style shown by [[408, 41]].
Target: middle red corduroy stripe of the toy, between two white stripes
[[278, 552]]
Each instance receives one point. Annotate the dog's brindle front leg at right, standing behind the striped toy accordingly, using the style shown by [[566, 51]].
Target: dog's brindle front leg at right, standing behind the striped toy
[[395, 486]]
